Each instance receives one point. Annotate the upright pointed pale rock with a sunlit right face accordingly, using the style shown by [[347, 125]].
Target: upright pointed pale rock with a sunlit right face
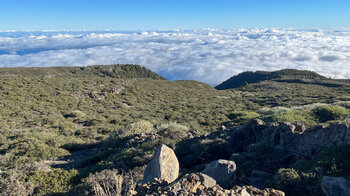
[[164, 165]]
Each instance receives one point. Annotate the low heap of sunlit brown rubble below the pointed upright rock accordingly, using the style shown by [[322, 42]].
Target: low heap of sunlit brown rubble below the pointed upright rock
[[198, 184]]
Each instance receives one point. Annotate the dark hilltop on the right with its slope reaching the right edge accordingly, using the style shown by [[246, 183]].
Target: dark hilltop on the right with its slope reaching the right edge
[[284, 75]]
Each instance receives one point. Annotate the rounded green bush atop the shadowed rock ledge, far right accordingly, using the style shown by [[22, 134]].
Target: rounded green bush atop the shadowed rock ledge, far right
[[328, 113]]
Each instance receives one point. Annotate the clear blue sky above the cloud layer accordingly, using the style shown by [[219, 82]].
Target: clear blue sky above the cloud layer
[[170, 14]]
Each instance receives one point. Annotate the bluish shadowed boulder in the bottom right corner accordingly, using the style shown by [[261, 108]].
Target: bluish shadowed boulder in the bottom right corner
[[333, 186]]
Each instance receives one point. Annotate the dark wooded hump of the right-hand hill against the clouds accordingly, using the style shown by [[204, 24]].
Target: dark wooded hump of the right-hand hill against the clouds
[[249, 77]]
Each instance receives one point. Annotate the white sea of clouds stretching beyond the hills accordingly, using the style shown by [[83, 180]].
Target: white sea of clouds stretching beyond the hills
[[207, 55]]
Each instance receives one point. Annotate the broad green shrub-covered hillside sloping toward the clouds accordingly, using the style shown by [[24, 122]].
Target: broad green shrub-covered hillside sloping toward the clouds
[[59, 125]]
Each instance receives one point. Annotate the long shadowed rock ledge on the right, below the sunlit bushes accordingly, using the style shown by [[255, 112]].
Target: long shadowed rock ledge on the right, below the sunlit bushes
[[291, 137]]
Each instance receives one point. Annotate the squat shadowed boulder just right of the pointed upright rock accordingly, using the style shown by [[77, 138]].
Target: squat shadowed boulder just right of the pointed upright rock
[[223, 171]]
